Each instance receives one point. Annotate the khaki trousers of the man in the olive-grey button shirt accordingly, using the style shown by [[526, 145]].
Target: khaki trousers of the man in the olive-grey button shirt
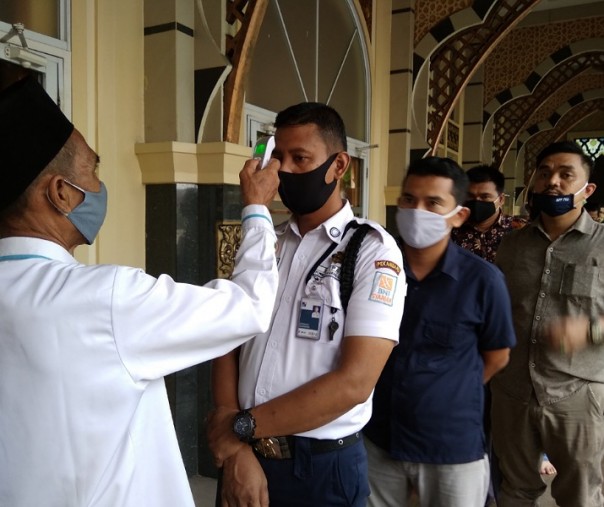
[[570, 431]]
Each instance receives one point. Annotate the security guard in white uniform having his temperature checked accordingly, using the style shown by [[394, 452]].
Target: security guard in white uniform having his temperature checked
[[290, 407]]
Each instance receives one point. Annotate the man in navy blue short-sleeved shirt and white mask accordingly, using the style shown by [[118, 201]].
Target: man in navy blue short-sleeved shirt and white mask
[[426, 431]]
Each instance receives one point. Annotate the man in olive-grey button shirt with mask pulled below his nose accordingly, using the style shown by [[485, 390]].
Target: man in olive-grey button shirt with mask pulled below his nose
[[550, 396]]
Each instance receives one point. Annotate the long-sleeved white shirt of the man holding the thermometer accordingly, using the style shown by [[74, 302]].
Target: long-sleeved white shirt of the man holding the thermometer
[[84, 415]]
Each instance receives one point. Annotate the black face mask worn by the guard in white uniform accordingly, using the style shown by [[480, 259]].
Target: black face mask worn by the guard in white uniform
[[305, 193]]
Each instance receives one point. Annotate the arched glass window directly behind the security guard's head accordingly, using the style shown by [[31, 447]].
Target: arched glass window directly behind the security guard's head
[[313, 51]]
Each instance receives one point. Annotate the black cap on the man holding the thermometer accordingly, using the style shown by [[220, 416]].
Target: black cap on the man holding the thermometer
[[32, 131]]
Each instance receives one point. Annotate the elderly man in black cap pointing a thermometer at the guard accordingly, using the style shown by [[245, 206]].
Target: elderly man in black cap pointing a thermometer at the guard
[[84, 415]]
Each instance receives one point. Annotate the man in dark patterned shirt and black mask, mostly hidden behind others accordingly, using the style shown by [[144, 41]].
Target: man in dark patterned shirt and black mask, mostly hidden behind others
[[487, 224]]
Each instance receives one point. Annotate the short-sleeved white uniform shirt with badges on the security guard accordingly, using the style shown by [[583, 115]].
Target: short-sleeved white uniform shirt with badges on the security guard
[[278, 361]]
